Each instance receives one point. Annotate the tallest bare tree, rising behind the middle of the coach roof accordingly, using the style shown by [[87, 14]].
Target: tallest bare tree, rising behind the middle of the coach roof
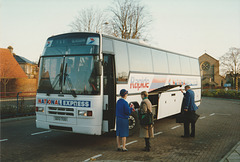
[[129, 19]]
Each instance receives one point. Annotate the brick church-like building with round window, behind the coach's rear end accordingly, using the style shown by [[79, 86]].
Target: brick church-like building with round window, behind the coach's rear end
[[209, 67]]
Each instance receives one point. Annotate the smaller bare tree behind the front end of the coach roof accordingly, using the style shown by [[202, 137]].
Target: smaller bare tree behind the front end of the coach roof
[[89, 20]]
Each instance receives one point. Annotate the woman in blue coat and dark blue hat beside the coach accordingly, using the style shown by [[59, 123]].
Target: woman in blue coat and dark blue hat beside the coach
[[122, 114]]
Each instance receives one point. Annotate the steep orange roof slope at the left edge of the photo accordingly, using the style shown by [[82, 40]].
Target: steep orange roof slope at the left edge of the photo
[[9, 67]]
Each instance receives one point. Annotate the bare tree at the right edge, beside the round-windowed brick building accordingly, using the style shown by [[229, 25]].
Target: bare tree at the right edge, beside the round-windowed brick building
[[230, 63]]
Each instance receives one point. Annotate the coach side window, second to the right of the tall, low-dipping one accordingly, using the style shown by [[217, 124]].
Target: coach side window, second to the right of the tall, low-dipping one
[[160, 63]]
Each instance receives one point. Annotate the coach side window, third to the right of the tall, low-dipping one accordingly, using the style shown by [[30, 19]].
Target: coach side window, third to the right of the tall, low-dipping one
[[174, 63]]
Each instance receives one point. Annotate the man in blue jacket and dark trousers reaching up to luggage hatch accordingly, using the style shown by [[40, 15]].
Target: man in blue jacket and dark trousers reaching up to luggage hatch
[[189, 108]]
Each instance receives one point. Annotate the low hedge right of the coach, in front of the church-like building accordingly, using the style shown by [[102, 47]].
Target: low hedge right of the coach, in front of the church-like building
[[221, 93]]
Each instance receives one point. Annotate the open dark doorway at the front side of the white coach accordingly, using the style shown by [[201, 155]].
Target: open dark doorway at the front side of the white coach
[[109, 88]]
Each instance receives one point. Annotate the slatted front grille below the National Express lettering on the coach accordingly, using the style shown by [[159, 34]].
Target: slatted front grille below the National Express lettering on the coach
[[61, 111]]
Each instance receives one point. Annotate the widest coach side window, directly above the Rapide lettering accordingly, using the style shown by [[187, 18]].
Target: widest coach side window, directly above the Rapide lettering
[[140, 58]]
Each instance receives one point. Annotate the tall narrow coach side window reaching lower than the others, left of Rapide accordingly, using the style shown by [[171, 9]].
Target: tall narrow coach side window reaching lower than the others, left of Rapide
[[121, 57]]
